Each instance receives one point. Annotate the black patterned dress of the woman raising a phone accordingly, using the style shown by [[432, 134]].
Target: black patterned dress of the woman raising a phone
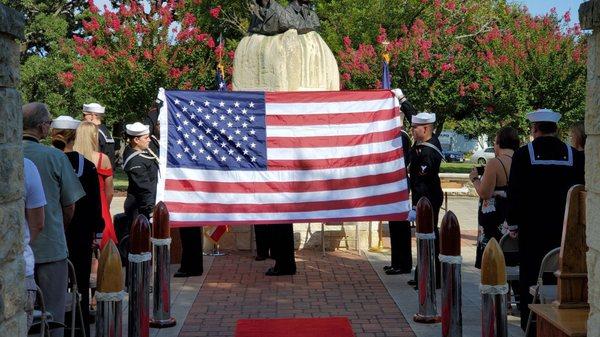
[[491, 214]]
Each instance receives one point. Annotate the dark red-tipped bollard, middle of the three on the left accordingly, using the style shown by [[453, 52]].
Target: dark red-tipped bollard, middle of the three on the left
[[139, 267]]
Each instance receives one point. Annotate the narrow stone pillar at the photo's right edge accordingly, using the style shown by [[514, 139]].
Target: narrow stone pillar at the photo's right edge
[[589, 16]]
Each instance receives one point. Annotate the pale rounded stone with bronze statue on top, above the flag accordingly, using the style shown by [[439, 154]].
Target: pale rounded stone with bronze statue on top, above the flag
[[283, 51]]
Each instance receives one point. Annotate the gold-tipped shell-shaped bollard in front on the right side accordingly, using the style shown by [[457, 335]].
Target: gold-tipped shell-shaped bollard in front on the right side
[[493, 292]]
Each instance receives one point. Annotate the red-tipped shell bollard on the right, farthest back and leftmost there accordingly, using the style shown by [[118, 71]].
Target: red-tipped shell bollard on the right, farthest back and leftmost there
[[426, 264]]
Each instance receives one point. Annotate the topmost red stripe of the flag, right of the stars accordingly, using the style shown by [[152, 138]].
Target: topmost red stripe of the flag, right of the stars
[[326, 96]]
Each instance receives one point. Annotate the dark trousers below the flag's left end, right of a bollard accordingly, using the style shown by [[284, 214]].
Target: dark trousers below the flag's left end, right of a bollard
[[191, 250]]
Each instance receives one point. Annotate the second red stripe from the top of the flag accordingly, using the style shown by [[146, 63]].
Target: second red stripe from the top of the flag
[[332, 119]]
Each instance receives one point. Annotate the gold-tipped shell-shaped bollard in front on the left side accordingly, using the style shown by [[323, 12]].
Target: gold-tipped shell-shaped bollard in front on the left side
[[109, 294]]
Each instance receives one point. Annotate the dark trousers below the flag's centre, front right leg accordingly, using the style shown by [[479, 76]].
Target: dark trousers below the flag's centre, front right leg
[[282, 249]]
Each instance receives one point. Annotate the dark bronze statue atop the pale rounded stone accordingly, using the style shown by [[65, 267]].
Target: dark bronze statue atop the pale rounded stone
[[270, 18]]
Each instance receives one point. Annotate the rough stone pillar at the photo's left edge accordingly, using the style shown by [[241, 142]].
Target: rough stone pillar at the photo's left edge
[[12, 269]]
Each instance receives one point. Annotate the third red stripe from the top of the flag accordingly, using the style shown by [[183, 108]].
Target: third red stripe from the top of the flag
[[332, 141]]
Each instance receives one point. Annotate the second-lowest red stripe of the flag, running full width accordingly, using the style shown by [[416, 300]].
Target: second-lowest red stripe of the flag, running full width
[[178, 207]]
